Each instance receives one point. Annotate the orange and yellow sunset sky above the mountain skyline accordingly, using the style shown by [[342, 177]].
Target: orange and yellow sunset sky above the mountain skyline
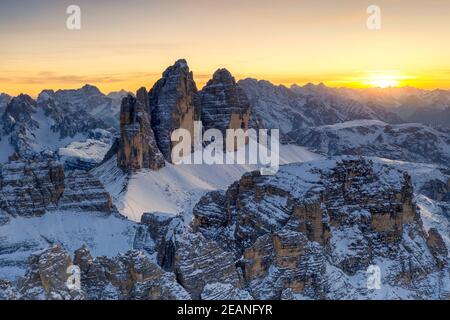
[[128, 44]]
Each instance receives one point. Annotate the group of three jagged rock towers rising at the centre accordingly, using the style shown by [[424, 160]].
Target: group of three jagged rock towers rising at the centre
[[147, 122]]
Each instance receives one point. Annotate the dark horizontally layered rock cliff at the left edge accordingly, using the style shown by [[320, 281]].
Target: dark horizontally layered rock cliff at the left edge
[[32, 188]]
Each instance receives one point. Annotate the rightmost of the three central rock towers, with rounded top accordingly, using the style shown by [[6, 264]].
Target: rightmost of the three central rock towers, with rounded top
[[224, 104]]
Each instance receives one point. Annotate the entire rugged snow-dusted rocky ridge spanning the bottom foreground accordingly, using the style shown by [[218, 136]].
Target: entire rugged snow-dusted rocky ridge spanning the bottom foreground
[[310, 232]]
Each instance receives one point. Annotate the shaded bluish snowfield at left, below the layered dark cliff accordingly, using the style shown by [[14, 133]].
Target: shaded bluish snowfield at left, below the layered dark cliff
[[21, 237]]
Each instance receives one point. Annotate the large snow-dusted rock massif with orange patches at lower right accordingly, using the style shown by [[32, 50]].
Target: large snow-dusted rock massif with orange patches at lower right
[[314, 229]]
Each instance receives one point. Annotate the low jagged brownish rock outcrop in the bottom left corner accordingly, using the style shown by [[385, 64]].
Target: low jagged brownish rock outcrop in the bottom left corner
[[129, 276]]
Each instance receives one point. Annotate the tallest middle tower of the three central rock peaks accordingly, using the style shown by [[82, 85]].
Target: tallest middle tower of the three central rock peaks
[[174, 103]]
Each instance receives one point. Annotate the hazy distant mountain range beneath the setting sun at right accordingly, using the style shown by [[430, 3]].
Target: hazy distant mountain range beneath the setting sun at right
[[314, 105]]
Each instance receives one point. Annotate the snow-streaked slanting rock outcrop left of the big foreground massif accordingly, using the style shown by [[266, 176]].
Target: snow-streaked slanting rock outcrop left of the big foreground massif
[[201, 266]]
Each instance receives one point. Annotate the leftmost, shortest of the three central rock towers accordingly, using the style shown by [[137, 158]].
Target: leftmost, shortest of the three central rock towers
[[137, 147]]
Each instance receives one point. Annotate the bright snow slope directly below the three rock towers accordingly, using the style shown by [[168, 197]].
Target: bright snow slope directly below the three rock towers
[[176, 188]]
